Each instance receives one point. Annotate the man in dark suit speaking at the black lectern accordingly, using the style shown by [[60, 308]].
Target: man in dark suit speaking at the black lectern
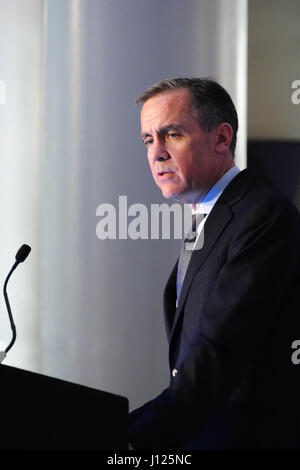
[[232, 316]]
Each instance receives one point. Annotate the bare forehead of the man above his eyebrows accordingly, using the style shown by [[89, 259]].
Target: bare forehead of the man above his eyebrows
[[168, 106]]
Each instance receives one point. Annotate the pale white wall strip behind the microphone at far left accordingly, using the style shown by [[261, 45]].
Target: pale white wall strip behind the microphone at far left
[[21, 69]]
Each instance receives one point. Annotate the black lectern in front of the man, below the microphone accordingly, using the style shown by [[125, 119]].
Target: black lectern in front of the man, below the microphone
[[40, 412]]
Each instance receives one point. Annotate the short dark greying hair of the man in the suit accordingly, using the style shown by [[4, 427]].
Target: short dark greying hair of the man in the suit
[[211, 104]]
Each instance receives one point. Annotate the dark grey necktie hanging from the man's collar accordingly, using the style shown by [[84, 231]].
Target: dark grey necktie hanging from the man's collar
[[186, 252]]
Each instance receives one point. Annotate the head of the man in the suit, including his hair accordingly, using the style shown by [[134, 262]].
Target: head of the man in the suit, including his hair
[[189, 126]]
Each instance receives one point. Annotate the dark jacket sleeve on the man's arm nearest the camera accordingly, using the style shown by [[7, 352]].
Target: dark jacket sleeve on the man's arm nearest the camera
[[263, 255]]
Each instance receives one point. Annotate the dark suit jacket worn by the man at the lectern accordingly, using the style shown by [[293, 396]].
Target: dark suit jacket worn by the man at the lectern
[[231, 336]]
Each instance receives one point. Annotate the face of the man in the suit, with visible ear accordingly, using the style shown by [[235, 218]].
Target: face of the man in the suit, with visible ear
[[184, 160]]
